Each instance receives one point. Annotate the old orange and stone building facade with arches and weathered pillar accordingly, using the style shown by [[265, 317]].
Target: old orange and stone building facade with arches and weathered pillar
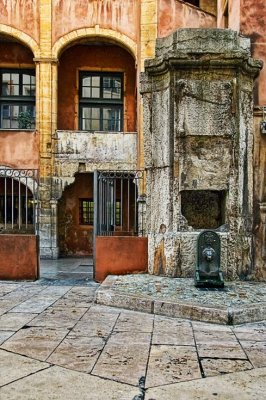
[[170, 88]]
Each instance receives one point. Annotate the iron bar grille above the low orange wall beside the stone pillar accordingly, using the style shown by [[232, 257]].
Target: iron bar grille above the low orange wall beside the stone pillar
[[116, 210]]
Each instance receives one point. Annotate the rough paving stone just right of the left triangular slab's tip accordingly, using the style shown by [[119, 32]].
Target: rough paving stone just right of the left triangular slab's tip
[[78, 353]]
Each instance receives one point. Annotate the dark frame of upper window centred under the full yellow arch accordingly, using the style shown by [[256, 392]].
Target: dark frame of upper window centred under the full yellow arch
[[100, 102]]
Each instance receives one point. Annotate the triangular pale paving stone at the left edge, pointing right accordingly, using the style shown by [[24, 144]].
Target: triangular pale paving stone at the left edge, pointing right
[[14, 366]]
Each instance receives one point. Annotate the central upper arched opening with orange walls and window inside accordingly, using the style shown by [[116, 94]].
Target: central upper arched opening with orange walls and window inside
[[97, 88]]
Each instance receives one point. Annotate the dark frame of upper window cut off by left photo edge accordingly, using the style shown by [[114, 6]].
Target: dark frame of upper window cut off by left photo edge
[[19, 100]]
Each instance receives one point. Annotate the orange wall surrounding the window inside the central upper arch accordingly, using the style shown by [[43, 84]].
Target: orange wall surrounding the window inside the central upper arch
[[97, 58]]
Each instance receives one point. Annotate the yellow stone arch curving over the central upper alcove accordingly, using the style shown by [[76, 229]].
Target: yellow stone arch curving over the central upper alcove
[[96, 32]]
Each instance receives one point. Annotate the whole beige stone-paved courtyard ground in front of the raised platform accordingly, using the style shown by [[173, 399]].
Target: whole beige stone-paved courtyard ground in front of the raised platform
[[56, 343]]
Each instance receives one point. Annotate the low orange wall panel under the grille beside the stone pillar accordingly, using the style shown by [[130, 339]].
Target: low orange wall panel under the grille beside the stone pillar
[[117, 255]]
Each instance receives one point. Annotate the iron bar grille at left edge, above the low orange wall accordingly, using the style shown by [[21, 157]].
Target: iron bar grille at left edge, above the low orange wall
[[18, 200]]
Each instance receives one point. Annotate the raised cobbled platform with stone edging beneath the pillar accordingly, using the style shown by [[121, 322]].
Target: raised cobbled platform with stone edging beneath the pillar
[[239, 302]]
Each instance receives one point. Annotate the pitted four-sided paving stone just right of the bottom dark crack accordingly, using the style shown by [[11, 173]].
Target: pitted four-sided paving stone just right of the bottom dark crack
[[170, 364]]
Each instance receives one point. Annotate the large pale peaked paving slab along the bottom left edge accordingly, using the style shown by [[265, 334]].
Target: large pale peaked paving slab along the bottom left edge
[[57, 383]]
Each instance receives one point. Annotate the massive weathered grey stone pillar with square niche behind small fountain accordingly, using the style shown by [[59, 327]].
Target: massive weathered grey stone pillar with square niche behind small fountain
[[198, 140]]
